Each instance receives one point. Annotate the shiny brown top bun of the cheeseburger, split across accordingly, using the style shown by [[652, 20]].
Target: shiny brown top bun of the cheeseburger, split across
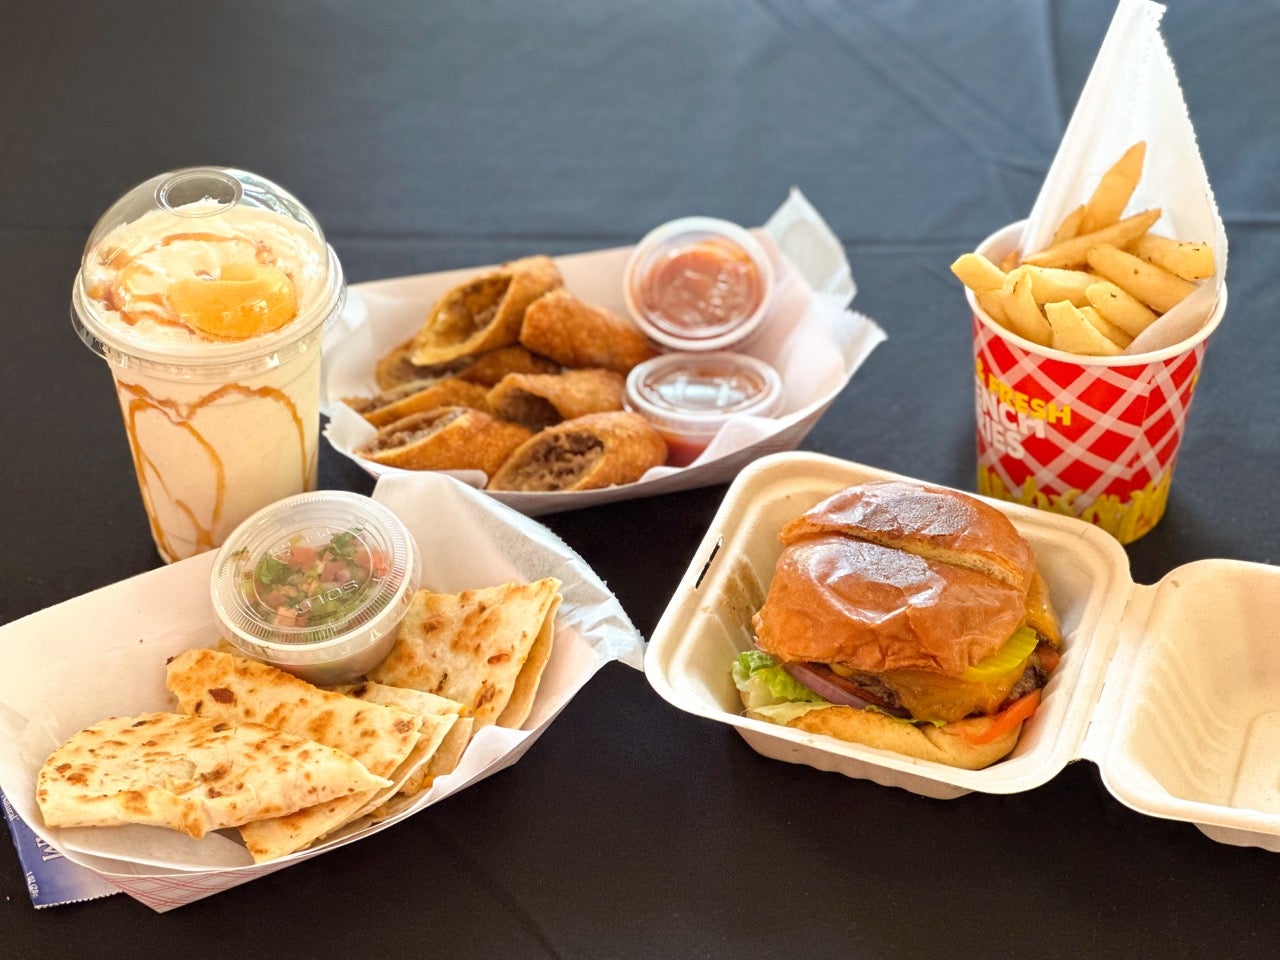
[[897, 577]]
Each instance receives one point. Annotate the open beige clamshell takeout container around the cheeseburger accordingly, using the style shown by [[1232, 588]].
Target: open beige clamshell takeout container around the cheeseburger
[[1173, 689]]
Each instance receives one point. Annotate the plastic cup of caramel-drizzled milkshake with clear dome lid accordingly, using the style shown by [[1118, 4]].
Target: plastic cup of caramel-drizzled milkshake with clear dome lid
[[208, 292]]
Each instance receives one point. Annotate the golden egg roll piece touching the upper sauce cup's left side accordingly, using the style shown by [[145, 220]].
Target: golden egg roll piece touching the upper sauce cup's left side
[[579, 335]]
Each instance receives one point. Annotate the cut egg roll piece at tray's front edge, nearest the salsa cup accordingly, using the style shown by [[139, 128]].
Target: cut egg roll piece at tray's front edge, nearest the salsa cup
[[449, 438]]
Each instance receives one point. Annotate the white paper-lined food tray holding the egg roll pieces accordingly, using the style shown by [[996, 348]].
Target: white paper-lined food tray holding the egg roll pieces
[[812, 339]]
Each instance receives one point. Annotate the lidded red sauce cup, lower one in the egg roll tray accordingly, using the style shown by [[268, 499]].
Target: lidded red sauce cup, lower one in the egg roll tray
[[688, 397]]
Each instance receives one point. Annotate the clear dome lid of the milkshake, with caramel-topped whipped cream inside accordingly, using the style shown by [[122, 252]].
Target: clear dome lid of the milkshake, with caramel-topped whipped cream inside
[[203, 267]]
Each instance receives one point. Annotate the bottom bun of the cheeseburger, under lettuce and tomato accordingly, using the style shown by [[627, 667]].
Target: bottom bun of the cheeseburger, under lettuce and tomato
[[924, 742]]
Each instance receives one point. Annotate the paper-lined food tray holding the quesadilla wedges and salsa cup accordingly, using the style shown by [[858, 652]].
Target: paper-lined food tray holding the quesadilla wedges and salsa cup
[[104, 655]]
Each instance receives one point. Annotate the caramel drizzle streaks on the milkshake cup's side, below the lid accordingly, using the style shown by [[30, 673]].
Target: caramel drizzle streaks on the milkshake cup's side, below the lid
[[136, 400]]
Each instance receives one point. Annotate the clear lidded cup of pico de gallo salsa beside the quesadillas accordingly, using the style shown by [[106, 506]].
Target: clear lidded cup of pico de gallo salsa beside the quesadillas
[[317, 584]]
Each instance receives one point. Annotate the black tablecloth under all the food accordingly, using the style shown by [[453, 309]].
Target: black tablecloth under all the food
[[447, 135]]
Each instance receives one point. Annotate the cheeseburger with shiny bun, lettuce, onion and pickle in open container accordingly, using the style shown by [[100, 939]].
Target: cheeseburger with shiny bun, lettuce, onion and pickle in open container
[[908, 619]]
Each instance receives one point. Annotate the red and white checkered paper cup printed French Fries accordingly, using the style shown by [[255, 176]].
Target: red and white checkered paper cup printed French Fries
[[1095, 438]]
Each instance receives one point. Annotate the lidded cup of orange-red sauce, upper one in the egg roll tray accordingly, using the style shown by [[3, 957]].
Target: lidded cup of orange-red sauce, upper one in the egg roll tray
[[700, 285]]
